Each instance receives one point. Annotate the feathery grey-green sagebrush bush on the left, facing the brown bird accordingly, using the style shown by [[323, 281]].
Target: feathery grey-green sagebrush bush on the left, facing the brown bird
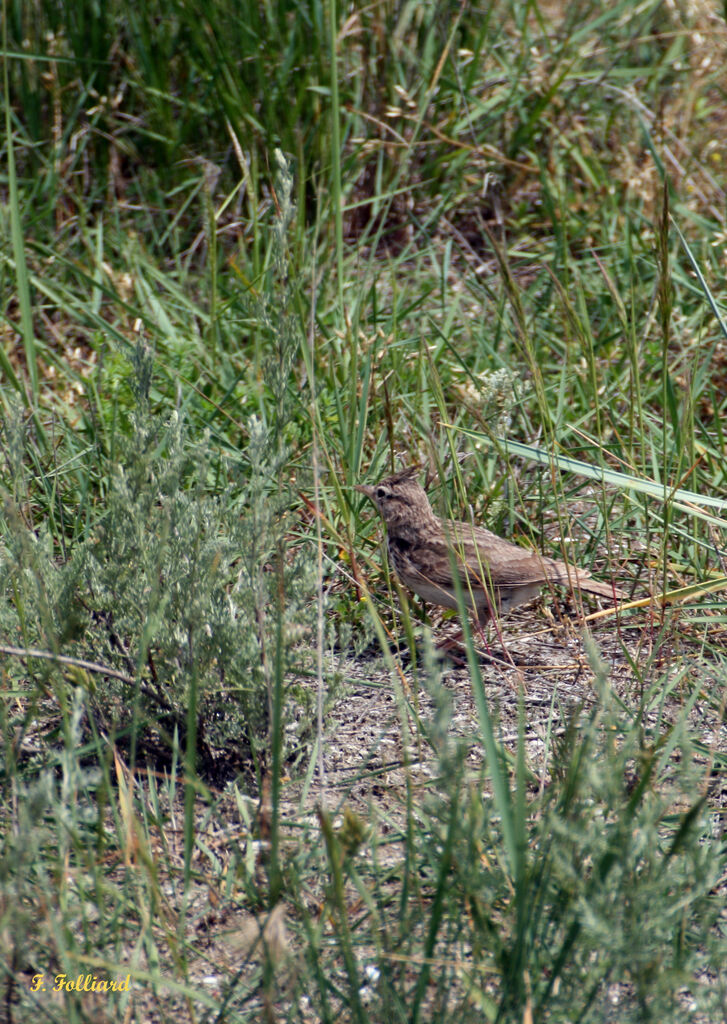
[[186, 576]]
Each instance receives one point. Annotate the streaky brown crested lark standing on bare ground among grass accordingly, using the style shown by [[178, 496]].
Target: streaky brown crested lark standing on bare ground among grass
[[495, 575]]
